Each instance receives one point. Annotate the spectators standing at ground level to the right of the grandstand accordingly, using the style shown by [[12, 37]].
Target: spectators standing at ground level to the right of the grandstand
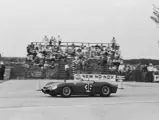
[[139, 72]]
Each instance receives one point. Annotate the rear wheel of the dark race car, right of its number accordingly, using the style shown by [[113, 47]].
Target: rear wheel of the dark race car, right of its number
[[105, 91]]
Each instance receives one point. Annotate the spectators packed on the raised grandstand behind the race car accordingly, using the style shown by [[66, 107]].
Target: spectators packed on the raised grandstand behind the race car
[[48, 51]]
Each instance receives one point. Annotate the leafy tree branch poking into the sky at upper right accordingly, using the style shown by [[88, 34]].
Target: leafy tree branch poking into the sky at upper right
[[155, 18]]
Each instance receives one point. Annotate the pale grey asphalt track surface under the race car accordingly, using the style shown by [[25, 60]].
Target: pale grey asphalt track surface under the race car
[[19, 100]]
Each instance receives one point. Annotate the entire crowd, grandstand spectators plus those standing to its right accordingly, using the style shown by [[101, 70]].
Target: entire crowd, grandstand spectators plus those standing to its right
[[47, 52]]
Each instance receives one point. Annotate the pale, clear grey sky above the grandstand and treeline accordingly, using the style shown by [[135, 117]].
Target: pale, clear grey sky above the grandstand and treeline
[[25, 21]]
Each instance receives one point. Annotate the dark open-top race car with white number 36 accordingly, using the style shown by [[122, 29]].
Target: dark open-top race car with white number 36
[[80, 87]]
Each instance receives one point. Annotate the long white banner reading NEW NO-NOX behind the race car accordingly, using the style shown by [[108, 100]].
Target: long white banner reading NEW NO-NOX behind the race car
[[95, 77]]
